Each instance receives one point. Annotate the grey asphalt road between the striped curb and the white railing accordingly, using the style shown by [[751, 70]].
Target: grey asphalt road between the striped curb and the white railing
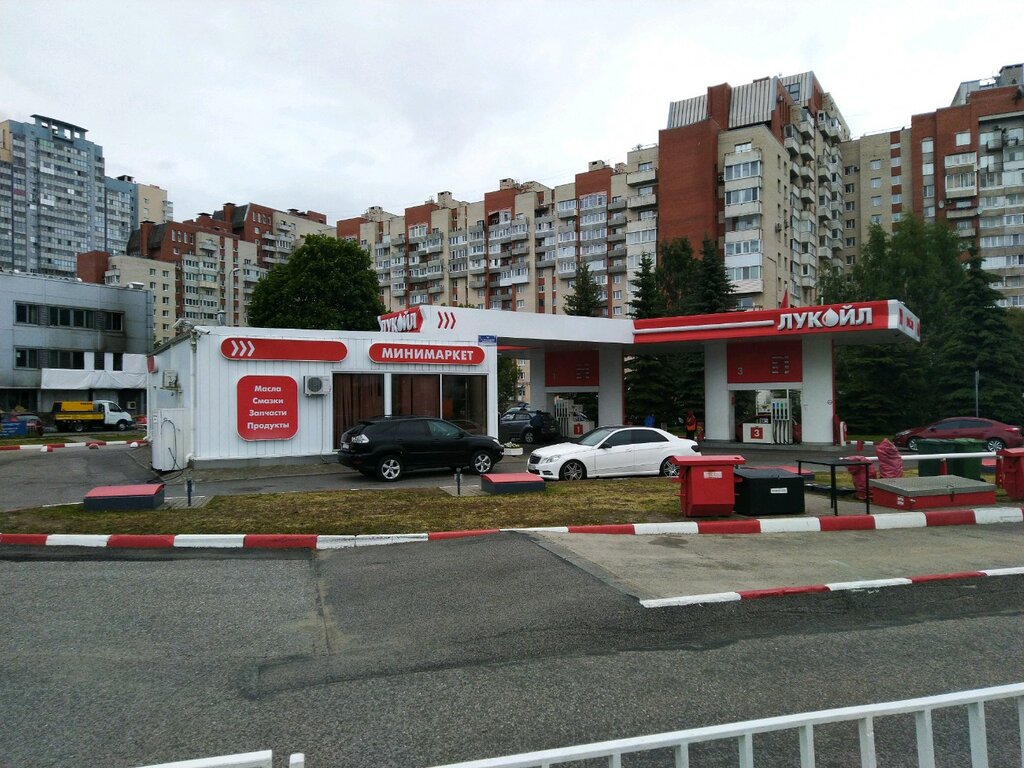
[[425, 654]]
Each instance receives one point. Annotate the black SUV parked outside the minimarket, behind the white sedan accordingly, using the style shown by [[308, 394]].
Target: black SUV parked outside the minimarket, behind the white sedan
[[388, 447]]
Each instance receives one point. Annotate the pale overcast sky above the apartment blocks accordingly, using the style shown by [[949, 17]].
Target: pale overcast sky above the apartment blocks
[[336, 107]]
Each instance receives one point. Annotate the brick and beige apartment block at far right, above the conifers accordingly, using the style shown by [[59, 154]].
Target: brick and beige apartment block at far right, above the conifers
[[963, 164]]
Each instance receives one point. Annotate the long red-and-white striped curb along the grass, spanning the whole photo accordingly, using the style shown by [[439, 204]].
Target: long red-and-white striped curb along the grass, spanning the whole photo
[[933, 519]]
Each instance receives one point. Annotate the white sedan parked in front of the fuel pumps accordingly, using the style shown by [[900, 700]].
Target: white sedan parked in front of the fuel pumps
[[613, 451]]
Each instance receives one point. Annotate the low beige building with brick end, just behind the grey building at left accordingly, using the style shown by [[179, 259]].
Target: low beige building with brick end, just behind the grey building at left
[[134, 272]]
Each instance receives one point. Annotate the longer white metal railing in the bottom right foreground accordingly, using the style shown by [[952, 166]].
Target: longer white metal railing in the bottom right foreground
[[803, 724]]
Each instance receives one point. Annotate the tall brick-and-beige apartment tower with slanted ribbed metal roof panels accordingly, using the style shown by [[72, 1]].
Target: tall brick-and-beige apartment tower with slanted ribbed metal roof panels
[[757, 168]]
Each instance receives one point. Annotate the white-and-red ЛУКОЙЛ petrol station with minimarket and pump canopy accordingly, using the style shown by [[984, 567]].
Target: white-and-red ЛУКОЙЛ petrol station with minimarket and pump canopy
[[249, 396]]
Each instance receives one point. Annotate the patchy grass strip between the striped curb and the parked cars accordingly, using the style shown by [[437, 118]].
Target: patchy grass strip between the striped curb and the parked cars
[[355, 513]]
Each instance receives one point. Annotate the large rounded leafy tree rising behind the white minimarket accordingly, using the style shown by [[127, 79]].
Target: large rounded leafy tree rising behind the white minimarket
[[326, 284]]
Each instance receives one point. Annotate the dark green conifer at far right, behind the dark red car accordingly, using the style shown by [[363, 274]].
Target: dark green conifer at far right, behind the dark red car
[[978, 342]]
